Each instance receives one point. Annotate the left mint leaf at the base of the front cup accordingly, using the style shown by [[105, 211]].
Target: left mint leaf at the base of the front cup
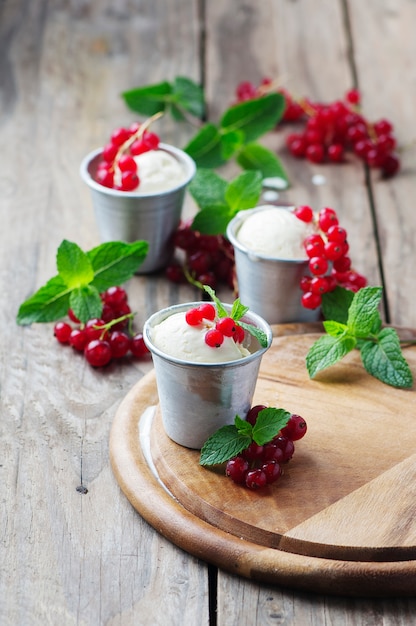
[[223, 445]]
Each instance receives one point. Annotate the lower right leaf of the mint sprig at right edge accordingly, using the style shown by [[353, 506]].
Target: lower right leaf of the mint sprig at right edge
[[384, 360]]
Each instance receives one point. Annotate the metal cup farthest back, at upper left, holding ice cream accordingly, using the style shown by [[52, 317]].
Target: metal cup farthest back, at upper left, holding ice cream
[[131, 215]]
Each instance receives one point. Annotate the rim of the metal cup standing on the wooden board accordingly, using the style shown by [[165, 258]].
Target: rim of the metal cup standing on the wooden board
[[161, 315]]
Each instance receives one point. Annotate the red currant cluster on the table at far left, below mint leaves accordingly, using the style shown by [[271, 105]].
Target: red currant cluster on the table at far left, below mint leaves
[[107, 338]]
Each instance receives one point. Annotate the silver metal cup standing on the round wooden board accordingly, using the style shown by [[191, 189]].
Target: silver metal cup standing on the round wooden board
[[198, 398]]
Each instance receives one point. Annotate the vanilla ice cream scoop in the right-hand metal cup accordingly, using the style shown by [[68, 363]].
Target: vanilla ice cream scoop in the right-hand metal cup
[[274, 232]]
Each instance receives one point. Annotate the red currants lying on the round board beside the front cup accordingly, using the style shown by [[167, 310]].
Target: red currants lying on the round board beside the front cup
[[258, 466]]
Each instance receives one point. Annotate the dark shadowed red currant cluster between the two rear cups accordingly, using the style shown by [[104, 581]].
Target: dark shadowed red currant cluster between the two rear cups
[[208, 259]]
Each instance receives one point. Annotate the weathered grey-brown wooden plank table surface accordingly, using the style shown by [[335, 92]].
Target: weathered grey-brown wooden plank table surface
[[84, 556]]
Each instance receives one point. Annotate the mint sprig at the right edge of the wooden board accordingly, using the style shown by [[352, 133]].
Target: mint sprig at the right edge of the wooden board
[[360, 328]]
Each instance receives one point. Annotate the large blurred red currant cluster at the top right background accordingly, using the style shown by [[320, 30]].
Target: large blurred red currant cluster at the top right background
[[333, 130]]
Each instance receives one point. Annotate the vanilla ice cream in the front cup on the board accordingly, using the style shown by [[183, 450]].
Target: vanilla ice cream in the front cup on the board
[[175, 337]]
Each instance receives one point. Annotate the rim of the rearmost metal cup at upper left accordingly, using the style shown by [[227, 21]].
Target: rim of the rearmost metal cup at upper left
[[180, 155]]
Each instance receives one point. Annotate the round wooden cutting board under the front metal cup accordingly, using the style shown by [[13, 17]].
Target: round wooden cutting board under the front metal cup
[[342, 518]]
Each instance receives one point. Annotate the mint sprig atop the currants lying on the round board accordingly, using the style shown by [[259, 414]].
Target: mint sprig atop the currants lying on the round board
[[228, 441]]
